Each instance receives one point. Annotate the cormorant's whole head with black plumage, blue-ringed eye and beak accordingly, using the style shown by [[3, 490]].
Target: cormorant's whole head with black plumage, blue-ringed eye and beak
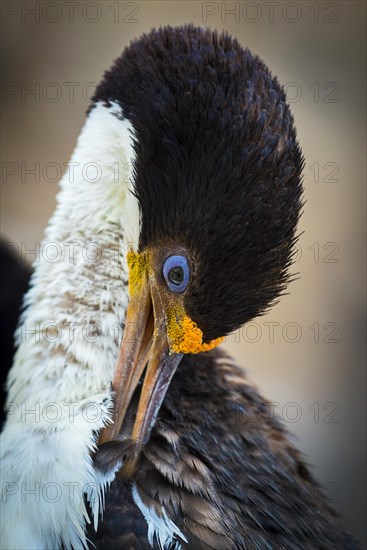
[[217, 175]]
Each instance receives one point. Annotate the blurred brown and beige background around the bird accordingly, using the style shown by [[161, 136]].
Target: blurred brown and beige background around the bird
[[307, 355]]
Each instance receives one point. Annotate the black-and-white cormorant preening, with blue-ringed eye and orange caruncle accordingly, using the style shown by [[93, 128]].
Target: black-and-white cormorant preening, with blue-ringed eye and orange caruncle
[[177, 222]]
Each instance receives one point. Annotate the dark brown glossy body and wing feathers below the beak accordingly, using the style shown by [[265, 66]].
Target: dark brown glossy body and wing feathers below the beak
[[224, 470]]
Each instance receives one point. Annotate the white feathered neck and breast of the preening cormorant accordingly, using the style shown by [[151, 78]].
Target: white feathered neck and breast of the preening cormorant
[[59, 385]]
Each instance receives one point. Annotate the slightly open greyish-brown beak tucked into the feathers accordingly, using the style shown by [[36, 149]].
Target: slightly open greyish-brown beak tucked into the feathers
[[144, 345]]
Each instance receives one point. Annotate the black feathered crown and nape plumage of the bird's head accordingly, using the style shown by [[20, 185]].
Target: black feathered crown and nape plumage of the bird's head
[[217, 170]]
